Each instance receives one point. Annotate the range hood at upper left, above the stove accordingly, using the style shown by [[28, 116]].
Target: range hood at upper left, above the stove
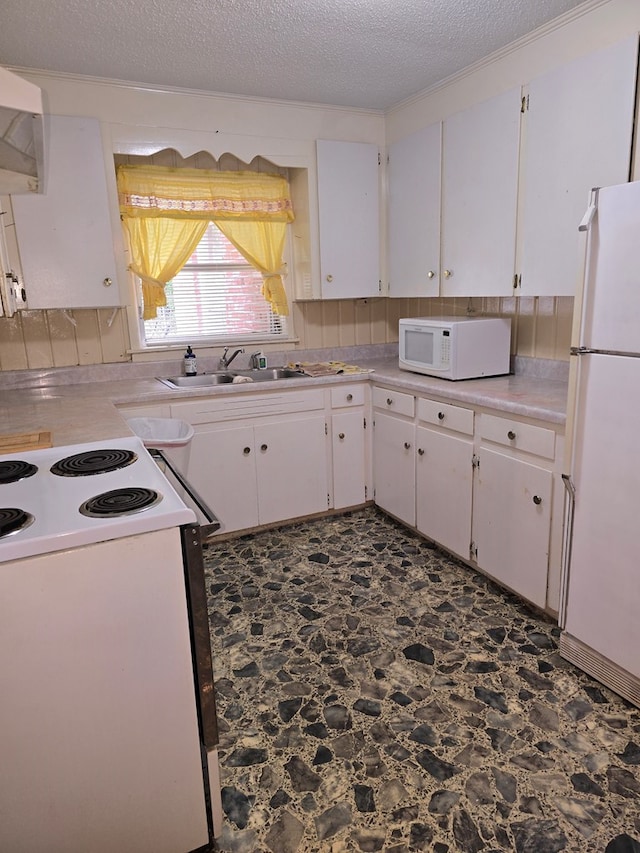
[[21, 135]]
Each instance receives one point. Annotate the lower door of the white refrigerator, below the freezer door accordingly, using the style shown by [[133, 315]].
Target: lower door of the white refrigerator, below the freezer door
[[604, 593]]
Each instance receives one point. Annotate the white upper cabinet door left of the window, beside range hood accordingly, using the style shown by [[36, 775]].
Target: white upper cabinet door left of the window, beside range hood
[[64, 235]]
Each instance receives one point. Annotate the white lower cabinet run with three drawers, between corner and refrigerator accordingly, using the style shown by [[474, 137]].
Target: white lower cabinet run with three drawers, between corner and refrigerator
[[479, 485]]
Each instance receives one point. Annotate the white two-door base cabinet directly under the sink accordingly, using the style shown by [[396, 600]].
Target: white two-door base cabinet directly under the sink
[[259, 459]]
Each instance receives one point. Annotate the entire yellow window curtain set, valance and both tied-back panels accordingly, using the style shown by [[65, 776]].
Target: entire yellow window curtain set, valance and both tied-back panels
[[166, 212]]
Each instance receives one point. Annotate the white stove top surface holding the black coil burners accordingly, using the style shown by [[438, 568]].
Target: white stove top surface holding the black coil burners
[[66, 497]]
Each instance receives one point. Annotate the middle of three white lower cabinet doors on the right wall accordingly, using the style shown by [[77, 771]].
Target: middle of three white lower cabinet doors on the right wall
[[444, 480]]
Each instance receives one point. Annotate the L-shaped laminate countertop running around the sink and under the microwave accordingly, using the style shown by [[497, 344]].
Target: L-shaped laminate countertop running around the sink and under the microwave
[[84, 411]]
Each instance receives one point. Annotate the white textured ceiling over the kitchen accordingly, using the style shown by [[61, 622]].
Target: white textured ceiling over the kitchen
[[355, 53]]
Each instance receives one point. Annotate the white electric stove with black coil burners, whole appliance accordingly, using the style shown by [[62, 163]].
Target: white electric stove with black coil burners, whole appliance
[[107, 724]]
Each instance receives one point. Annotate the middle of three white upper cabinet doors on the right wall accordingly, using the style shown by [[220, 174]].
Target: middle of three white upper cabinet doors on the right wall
[[479, 197]]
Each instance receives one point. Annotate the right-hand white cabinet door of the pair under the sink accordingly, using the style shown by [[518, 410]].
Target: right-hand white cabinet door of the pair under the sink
[[291, 462]]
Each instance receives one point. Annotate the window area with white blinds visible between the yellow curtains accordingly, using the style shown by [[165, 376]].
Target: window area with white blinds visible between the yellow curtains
[[216, 295]]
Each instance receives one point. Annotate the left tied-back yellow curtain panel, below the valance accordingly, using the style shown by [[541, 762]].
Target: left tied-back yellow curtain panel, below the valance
[[159, 250]]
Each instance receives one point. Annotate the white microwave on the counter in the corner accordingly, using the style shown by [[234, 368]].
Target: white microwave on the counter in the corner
[[455, 347]]
